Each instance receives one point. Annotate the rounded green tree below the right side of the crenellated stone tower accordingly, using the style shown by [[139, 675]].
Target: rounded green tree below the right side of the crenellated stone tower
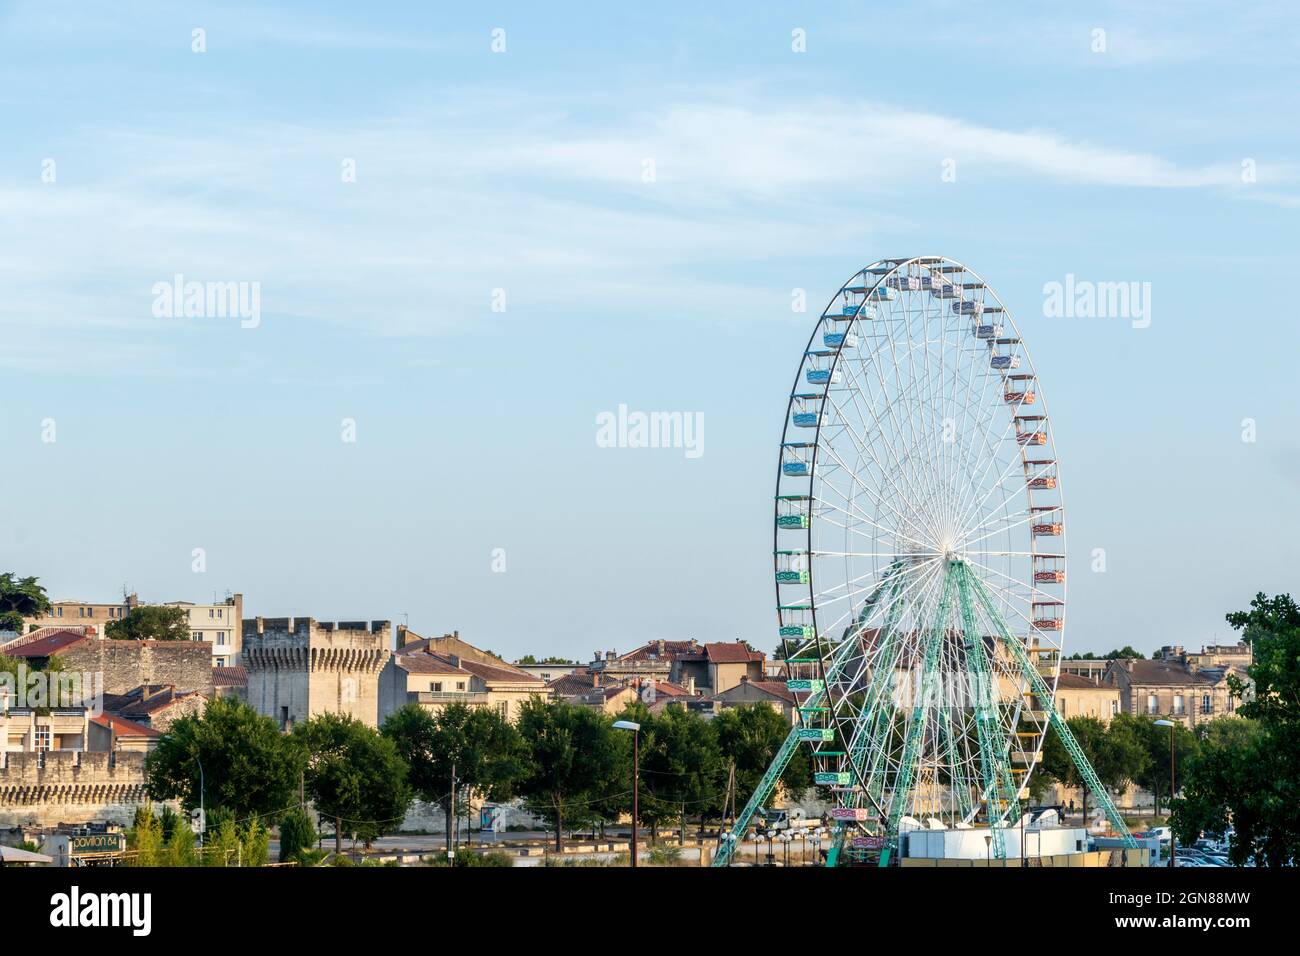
[[354, 776]]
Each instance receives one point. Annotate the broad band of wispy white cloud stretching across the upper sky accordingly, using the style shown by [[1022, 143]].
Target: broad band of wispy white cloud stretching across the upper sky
[[449, 207]]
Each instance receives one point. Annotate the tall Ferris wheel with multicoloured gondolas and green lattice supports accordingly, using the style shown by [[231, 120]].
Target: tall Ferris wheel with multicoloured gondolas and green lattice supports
[[920, 563]]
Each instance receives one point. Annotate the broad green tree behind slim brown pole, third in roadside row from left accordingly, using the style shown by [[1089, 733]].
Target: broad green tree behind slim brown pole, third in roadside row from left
[[479, 746]]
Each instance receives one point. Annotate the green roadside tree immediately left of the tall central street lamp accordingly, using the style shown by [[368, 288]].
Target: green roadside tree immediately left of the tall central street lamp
[[573, 756]]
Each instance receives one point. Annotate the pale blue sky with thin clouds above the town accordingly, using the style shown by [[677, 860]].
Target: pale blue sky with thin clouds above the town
[[523, 171]]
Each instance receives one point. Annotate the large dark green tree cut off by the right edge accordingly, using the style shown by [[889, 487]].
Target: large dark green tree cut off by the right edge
[[1247, 777]]
